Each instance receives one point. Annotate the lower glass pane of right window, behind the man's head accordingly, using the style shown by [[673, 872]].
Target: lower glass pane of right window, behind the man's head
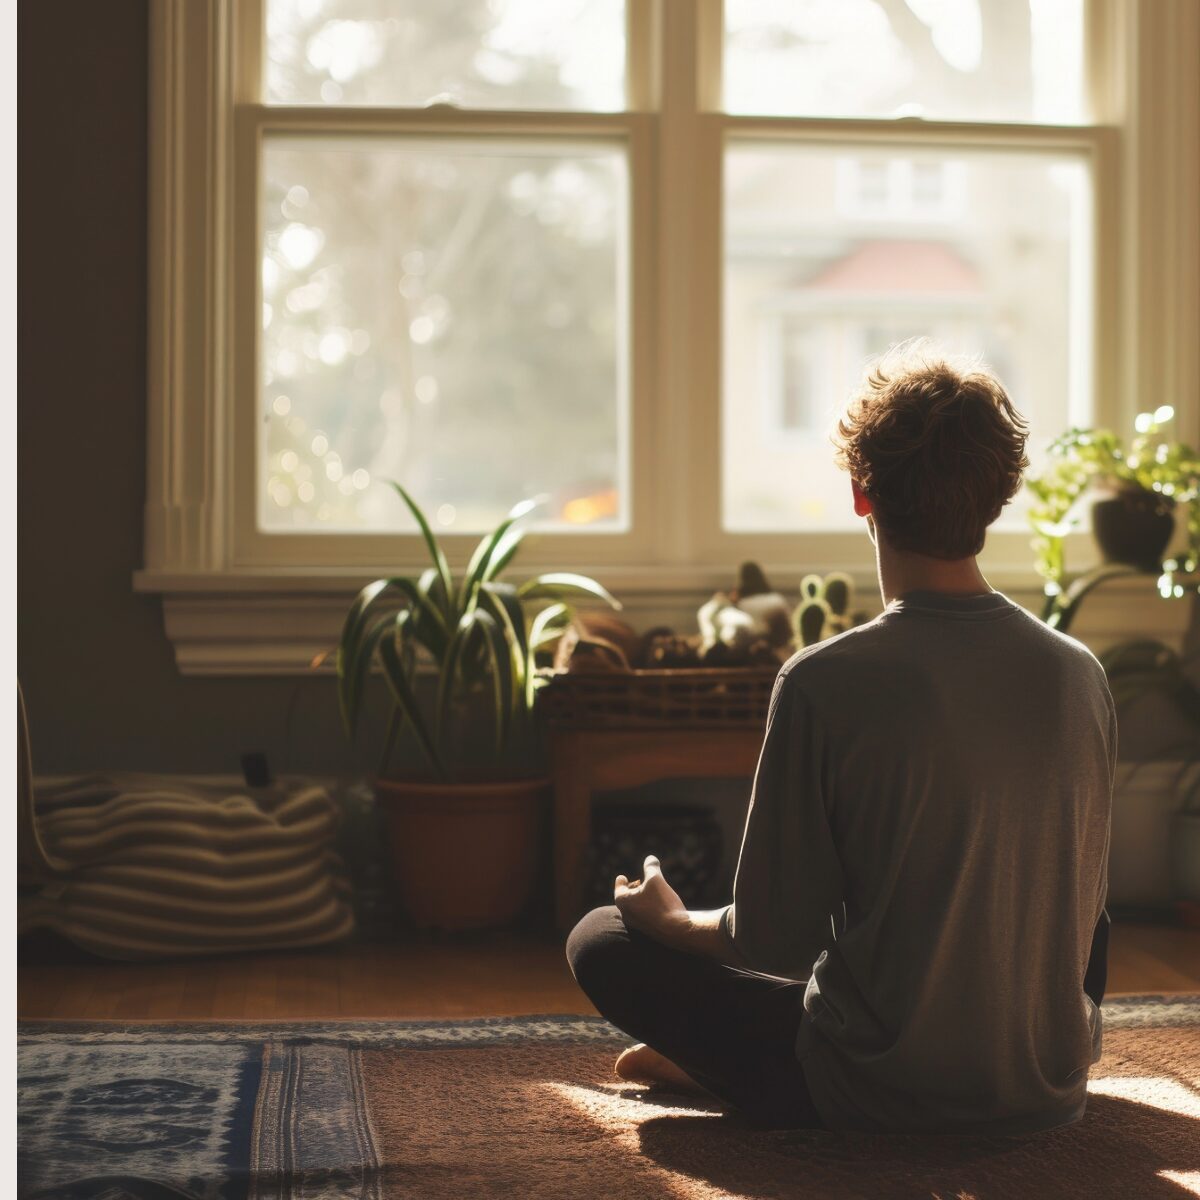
[[832, 257]]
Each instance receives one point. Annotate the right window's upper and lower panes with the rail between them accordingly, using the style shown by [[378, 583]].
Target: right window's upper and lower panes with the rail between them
[[855, 243]]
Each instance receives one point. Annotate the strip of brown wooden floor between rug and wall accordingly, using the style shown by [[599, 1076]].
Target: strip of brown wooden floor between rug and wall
[[500, 976]]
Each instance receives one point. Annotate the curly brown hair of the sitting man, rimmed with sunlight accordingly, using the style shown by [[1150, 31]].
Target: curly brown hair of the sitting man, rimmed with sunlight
[[939, 449]]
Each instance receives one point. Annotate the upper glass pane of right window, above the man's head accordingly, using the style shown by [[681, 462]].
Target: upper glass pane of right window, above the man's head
[[969, 61]]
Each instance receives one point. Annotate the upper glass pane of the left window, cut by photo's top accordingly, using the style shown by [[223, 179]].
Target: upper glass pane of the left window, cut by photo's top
[[569, 55]]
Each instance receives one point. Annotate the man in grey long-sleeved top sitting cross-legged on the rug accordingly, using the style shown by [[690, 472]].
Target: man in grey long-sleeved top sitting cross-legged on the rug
[[917, 934]]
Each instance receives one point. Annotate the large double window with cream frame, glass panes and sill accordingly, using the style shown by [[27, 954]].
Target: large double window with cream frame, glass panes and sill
[[629, 256]]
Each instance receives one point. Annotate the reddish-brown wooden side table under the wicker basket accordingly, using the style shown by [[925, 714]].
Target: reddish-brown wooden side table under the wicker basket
[[586, 760]]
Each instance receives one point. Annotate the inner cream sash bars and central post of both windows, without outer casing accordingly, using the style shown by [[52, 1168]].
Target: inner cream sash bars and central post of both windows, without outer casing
[[676, 152]]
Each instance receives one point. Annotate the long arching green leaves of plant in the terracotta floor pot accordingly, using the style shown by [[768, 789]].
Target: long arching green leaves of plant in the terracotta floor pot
[[481, 634]]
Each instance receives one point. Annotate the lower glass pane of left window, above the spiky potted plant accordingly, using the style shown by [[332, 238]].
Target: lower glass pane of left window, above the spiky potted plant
[[452, 317]]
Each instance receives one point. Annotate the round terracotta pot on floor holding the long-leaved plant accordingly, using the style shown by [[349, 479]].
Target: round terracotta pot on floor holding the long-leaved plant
[[466, 855]]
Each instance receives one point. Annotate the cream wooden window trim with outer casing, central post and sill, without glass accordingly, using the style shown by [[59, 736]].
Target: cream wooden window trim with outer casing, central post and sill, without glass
[[230, 614]]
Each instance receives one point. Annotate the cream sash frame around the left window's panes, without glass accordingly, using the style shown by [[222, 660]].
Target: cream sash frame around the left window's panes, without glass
[[255, 122]]
